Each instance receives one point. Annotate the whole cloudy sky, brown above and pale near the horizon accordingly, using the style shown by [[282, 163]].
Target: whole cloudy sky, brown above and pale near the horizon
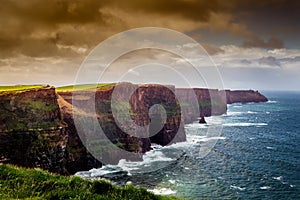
[[254, 44]]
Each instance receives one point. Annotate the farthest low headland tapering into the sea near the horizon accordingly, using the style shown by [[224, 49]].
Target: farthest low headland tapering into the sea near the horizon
[[244, 96]]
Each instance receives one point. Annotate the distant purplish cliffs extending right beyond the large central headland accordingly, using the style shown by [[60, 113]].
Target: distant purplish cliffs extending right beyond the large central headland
[[202, 102]]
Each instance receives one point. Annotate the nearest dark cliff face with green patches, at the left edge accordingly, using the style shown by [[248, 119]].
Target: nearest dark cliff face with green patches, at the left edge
[[31, 129]]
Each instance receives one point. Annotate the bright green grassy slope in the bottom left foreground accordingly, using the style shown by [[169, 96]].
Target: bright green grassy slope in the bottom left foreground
[[21, 183]]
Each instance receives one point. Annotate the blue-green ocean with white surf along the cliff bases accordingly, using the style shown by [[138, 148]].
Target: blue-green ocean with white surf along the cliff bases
[[256, 156]]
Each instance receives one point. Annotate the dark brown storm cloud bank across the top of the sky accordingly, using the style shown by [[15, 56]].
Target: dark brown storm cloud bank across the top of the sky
[[58, 27]]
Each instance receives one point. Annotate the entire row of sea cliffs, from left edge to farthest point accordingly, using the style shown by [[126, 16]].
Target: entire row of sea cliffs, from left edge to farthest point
[[37, 126]]
